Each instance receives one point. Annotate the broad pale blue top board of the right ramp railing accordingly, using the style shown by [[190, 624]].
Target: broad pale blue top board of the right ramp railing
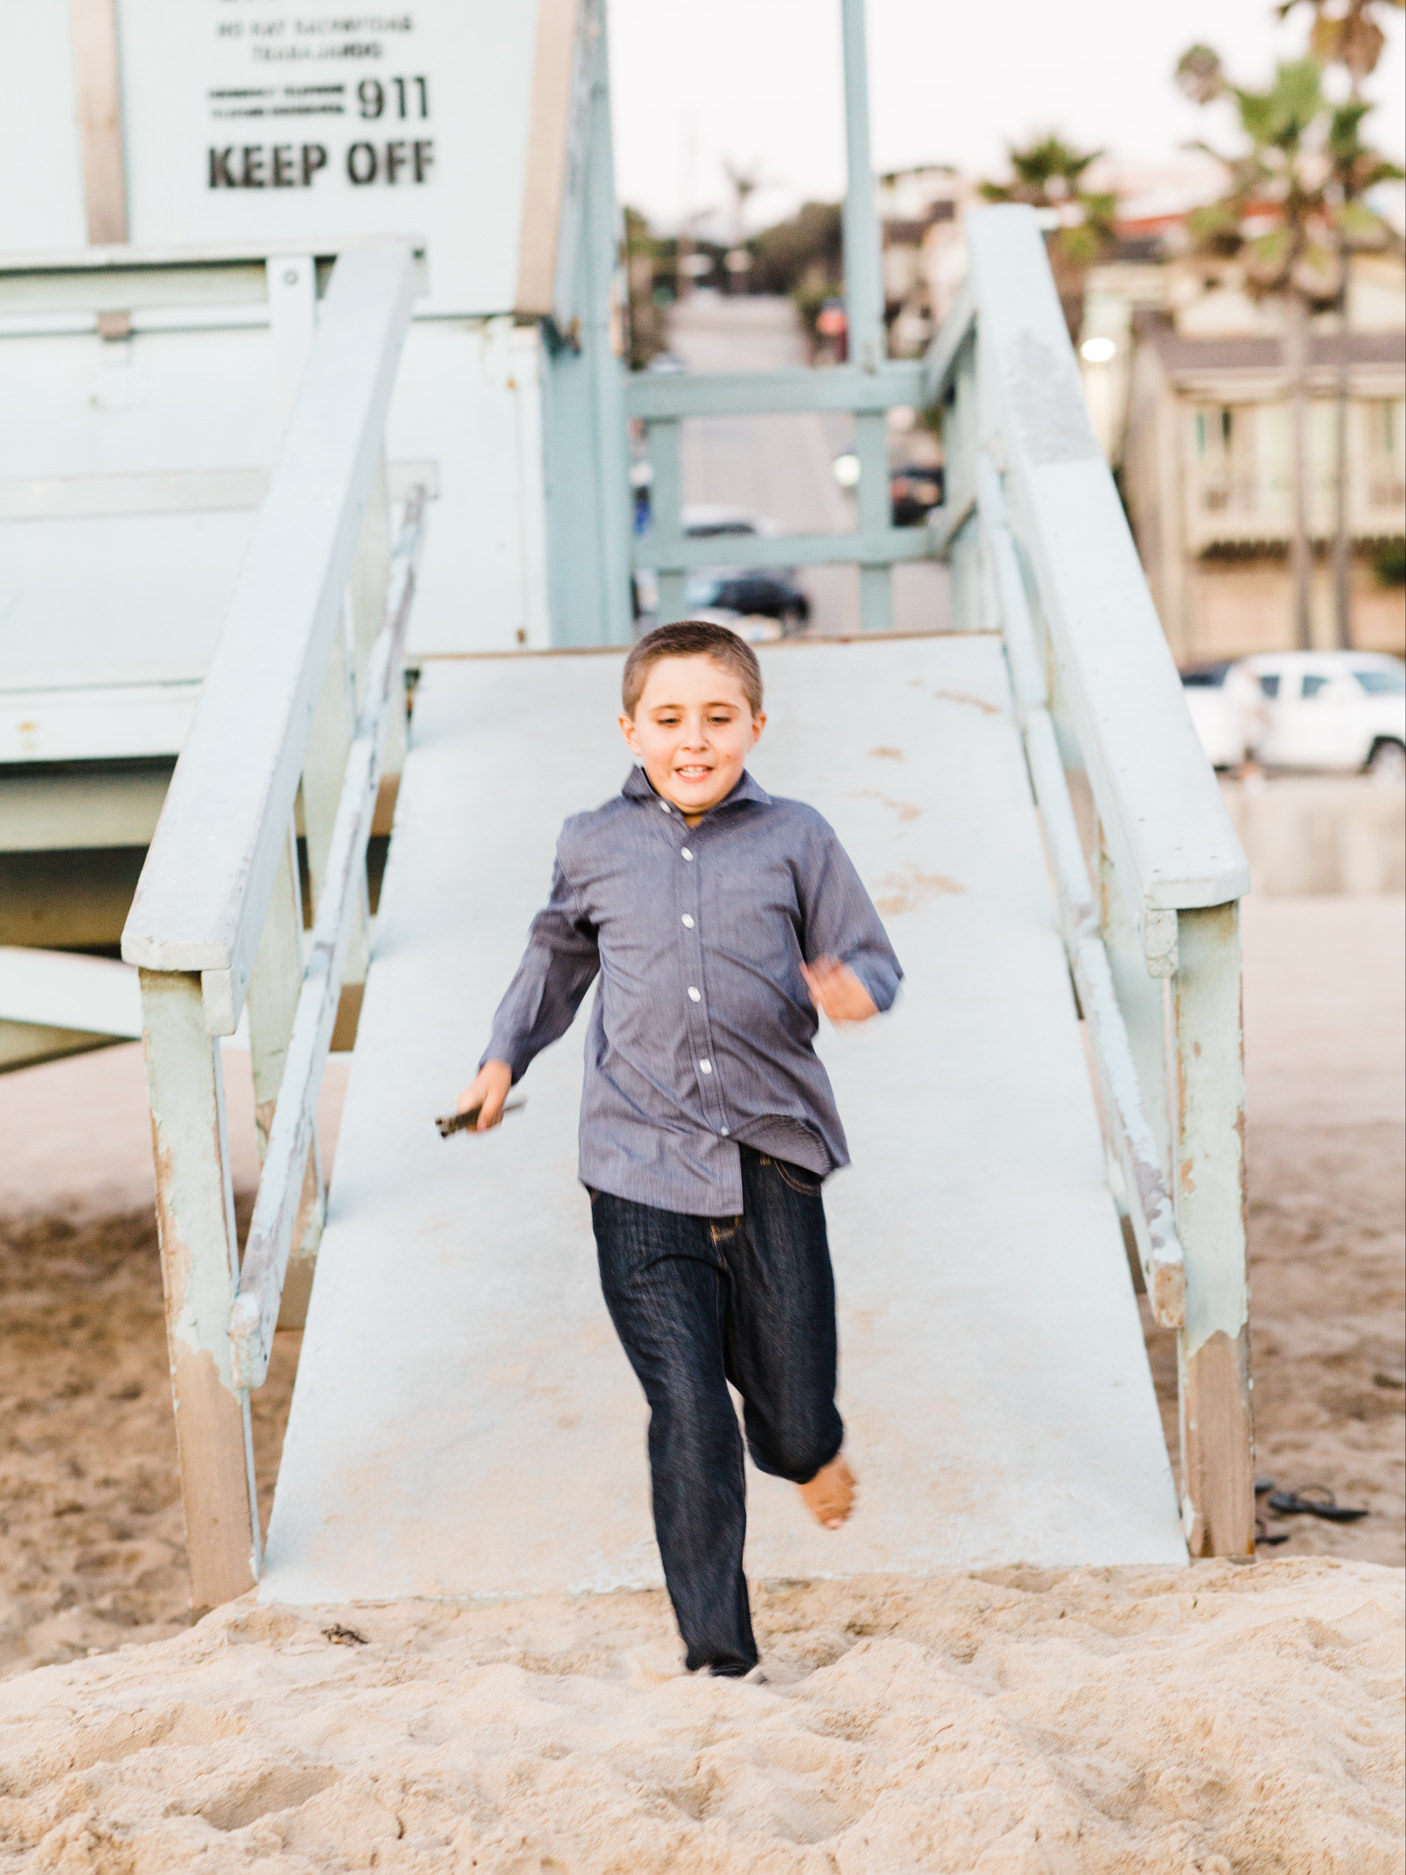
[[1158, 802]]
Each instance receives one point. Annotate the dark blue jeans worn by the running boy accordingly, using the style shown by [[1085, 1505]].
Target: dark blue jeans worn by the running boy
[[700, 1302]]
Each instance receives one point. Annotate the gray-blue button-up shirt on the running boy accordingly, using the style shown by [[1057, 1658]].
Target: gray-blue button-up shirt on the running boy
[[702, 1028]]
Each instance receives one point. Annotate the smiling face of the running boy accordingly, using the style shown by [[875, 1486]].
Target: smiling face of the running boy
[[693, 730]]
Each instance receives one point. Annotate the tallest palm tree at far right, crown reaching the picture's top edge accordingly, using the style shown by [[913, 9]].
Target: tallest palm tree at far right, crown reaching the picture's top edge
[[1351, 37]]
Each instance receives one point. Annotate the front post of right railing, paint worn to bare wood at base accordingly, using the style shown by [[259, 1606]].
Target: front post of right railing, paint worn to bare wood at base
[[1218, 1441]]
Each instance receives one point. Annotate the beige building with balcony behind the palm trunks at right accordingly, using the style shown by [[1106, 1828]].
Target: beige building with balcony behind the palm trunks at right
[[1191, 402]]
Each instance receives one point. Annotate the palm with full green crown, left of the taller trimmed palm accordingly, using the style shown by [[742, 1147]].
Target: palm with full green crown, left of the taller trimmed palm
[[1279, 177]]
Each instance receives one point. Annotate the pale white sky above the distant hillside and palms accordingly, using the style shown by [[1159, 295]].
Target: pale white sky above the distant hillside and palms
[[758, 83]]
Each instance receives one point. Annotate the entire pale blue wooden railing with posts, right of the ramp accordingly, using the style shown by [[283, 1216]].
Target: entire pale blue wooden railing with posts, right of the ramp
[[1041, 550]]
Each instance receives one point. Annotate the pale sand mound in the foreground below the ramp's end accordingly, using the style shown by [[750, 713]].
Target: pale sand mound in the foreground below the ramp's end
[[1092, 1724]]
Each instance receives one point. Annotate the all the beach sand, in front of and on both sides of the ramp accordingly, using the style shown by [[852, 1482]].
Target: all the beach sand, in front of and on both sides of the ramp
[[1210, 1720]]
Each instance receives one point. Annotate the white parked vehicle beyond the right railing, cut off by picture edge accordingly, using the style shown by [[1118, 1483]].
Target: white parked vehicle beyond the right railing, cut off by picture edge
[[1332, 710]]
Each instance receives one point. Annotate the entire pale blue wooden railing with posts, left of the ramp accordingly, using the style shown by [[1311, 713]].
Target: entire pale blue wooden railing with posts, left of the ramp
[[220, 888]]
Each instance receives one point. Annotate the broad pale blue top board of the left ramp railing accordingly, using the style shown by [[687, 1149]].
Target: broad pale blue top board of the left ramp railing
[[211, 869]]
